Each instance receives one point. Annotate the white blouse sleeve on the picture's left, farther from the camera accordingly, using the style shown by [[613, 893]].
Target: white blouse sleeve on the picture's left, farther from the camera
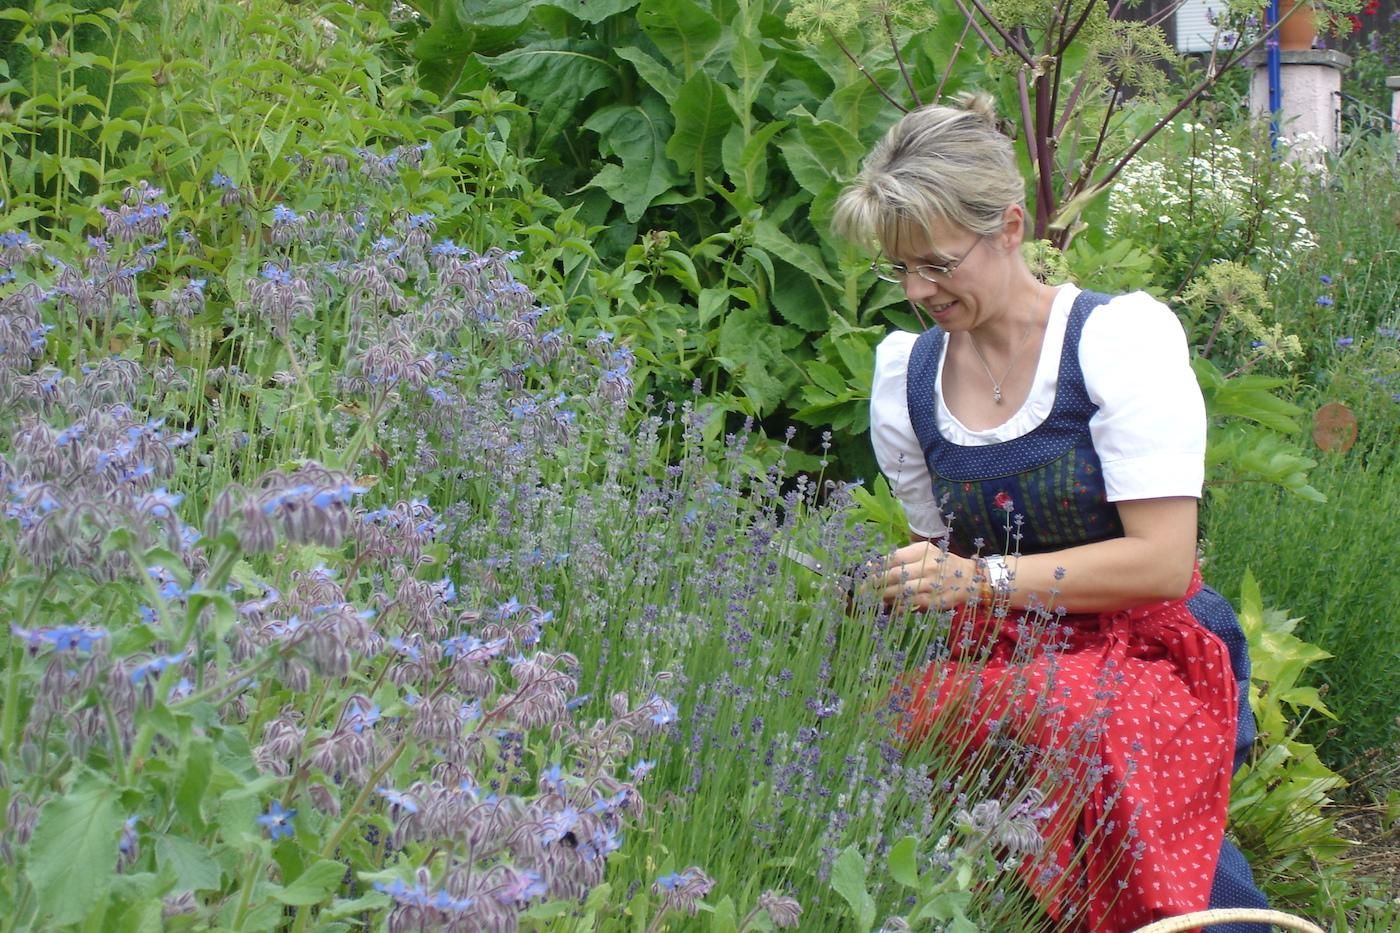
[[892, 436]]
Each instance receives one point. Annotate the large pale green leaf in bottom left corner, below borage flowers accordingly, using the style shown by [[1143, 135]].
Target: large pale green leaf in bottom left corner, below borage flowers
[[73, 852]]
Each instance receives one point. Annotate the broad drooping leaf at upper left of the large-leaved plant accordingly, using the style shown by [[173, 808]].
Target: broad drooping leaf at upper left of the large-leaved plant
[[555, 76]]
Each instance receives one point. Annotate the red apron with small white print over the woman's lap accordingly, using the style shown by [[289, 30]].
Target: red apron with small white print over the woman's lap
[[1137, 712]]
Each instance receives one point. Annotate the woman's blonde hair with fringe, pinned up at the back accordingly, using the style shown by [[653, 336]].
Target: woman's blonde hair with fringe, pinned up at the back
[[936, 165]]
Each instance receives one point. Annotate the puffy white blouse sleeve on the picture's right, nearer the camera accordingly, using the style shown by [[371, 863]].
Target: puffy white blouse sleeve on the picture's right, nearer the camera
[[1150, 429]]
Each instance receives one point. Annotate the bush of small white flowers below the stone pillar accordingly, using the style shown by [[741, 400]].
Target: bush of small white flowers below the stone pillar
[[1217, 200]]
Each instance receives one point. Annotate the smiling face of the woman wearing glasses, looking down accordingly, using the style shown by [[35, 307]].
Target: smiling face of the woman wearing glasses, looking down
[[972, 291]]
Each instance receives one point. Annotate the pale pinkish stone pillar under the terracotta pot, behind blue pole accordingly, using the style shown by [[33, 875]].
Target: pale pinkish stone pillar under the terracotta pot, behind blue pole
[[1311, 88]]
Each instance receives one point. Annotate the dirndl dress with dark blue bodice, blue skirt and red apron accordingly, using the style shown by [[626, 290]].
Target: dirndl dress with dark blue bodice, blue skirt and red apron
[[1140, 717]]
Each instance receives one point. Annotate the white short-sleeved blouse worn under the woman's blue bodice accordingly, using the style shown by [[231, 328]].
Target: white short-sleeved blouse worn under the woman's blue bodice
[[1150, 429]]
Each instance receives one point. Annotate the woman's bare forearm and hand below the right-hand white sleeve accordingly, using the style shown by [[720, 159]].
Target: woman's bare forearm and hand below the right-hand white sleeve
[[1153, 561]]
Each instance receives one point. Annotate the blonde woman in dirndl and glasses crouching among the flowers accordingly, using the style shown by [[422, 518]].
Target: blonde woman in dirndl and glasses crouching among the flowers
[[1048, 446]]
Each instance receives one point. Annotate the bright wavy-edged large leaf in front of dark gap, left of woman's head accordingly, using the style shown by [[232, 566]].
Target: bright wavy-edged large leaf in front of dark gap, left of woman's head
[[638, 137]]
